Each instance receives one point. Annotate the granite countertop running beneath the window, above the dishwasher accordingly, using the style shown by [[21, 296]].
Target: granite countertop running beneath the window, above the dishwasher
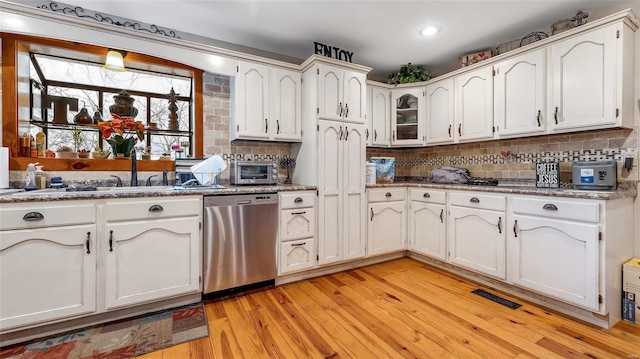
[[131, 192]]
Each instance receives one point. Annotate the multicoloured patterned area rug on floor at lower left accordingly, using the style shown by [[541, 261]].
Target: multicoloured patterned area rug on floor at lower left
[[120, 339]]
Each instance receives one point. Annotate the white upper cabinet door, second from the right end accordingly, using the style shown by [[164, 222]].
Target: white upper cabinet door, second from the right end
[[520, 91]]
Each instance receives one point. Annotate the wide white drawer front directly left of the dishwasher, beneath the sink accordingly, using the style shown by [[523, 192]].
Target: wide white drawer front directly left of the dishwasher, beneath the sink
[[136, 209]]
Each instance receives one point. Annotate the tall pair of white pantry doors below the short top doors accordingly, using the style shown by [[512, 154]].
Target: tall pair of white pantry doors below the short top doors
[[341, 199]]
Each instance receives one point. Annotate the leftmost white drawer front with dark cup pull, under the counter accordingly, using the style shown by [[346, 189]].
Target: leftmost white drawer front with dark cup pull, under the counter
[[46, 214]]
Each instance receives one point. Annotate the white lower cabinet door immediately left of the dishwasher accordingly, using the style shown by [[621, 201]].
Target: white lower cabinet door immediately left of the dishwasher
[[151, 260]]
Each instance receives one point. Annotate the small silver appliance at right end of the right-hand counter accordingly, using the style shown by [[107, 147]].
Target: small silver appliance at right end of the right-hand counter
[[595, 175]]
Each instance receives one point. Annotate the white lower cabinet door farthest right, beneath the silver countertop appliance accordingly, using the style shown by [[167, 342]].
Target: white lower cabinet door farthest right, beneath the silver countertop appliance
[[555, 258]]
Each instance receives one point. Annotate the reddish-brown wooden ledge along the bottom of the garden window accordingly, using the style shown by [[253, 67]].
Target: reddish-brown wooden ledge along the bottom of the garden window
[[89, 164]]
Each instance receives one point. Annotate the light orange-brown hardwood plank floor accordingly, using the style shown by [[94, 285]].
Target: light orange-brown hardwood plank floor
[[398, 309]]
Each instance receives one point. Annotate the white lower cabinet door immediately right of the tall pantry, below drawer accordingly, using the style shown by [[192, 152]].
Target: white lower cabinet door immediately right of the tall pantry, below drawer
[[386, 231]]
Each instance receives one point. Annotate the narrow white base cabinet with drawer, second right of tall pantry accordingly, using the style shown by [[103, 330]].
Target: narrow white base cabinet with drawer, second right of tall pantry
[[427, 222]]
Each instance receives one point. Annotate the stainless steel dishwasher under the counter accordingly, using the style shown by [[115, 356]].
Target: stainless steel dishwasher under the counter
[[240, 234]]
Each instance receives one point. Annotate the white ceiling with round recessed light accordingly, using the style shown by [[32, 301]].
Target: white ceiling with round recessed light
[[381, 34]]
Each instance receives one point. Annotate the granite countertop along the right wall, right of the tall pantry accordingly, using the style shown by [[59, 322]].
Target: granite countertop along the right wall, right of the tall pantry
[[624, 190]]
